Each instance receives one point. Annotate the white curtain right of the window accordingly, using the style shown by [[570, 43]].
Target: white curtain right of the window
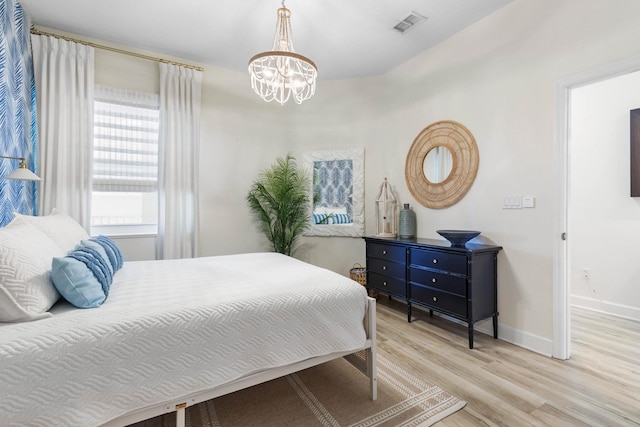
[[180, 94]]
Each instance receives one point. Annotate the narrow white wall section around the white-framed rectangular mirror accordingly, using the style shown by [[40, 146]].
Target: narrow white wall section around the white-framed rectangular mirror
[[342, 114]]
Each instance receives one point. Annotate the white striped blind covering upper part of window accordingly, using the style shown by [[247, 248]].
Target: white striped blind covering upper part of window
[[126, 126]]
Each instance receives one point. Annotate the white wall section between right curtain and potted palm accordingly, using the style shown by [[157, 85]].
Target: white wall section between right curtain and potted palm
[[240, 137]]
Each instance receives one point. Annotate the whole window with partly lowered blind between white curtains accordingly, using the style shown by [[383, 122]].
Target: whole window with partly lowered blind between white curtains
[[125, 162]]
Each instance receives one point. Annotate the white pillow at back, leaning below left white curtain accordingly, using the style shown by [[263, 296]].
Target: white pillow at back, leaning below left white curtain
[[59, 227]]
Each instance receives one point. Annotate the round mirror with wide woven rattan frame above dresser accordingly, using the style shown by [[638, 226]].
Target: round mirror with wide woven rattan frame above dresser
[[463, 164]]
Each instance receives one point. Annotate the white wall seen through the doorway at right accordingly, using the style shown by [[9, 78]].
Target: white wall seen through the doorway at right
[[604, 220]]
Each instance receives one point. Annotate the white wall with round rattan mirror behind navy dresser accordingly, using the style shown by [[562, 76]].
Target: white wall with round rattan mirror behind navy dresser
[[498, 79]]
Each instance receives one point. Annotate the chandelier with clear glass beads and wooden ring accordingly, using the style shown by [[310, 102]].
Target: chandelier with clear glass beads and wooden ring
[[281, 73]]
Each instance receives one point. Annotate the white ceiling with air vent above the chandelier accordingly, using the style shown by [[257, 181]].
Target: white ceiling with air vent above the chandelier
[[346, 38]]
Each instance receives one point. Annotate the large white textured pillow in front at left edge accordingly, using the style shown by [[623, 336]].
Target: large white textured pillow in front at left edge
[[26, 290]]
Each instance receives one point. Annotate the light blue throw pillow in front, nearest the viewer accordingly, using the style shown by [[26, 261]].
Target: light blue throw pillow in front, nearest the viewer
[[83, 277]]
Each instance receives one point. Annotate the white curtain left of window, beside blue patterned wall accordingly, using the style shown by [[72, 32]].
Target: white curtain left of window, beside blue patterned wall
[[64, 74]]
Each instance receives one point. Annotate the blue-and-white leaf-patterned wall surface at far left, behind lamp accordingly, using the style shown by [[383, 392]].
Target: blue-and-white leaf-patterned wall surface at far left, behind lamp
[[17, 110]]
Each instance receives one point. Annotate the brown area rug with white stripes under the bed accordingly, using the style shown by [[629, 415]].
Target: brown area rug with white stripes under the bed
[[332, 394]]
